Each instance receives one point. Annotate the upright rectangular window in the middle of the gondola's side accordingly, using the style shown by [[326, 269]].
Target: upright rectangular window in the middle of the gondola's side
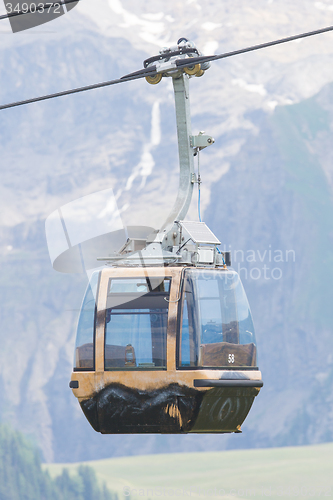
[[136, 323]]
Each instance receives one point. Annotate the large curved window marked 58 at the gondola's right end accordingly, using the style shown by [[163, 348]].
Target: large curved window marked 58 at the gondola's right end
[[216, 328]]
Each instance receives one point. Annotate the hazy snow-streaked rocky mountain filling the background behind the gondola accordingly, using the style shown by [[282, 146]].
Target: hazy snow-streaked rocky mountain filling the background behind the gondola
[[266, 193]]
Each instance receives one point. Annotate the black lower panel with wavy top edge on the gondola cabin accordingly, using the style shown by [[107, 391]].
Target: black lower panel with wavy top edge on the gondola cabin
[[117, 409]]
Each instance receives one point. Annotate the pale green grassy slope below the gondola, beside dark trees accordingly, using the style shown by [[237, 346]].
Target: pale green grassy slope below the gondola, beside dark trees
[[297, 472]]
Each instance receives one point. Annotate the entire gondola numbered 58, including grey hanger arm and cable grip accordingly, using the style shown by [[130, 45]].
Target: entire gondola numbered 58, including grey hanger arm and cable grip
[[165, 340]]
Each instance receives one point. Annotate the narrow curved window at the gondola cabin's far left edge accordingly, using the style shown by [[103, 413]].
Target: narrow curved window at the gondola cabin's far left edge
[[84, 347]]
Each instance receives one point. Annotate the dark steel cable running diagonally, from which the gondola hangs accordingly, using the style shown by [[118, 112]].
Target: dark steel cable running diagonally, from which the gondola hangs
[[151, 70]]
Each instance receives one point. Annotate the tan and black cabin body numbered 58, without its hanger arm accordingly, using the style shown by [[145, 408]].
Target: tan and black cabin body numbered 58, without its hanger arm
[[168, 350]]
